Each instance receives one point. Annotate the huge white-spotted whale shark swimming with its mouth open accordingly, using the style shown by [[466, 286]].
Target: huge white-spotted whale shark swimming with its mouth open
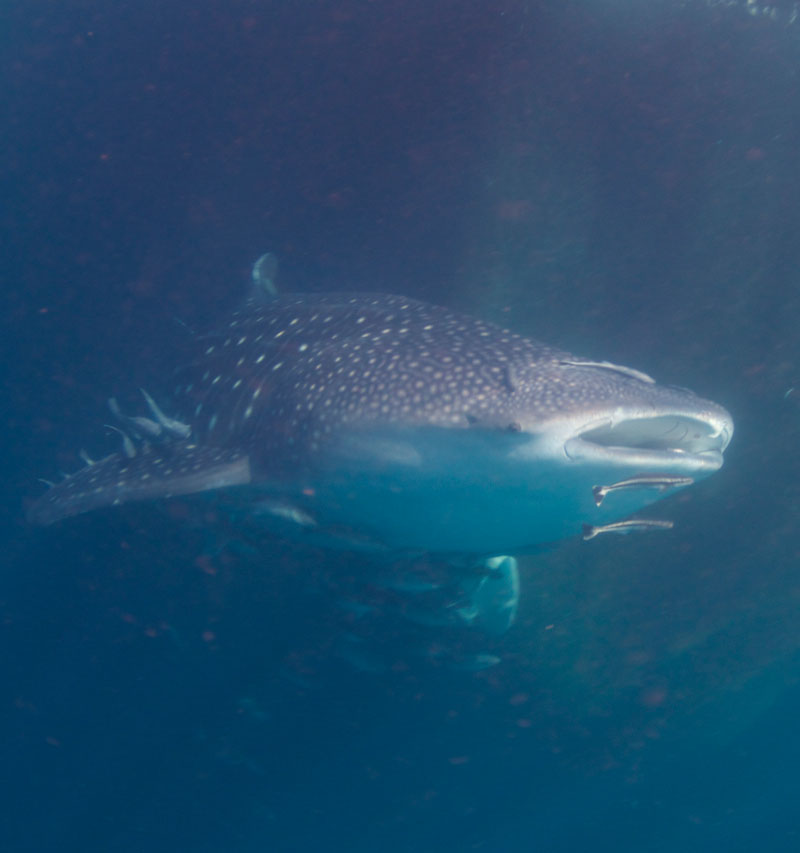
[[381, 421]]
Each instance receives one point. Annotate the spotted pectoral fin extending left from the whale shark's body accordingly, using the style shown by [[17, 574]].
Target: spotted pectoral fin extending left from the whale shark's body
[[163, 471]]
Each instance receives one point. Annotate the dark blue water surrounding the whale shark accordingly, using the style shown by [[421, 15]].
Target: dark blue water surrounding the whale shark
[[622, 182]]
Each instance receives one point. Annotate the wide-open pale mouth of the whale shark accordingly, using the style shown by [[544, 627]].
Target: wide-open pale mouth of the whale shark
[[687, 440]]
